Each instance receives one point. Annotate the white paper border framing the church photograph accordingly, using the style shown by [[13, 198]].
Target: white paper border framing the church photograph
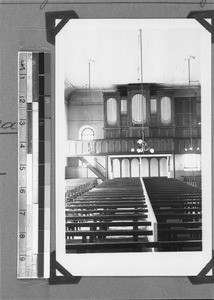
[[135, 264]]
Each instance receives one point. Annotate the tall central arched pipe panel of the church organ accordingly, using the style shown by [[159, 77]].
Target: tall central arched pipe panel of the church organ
[[138, 109]]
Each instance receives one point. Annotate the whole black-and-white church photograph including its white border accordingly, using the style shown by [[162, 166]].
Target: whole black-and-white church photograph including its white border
[[132, 123]]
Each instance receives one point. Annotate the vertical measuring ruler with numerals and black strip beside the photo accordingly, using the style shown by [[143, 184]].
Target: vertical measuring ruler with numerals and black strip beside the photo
[[34, 165]]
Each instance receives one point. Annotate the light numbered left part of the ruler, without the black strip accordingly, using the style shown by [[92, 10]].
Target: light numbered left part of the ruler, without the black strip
[[25, 201]]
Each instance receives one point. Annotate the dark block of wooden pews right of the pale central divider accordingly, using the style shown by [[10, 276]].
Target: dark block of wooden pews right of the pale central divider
[[178, 211]]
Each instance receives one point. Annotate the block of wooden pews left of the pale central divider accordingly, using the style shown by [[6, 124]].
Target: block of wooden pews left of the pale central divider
[[109, 214]]
